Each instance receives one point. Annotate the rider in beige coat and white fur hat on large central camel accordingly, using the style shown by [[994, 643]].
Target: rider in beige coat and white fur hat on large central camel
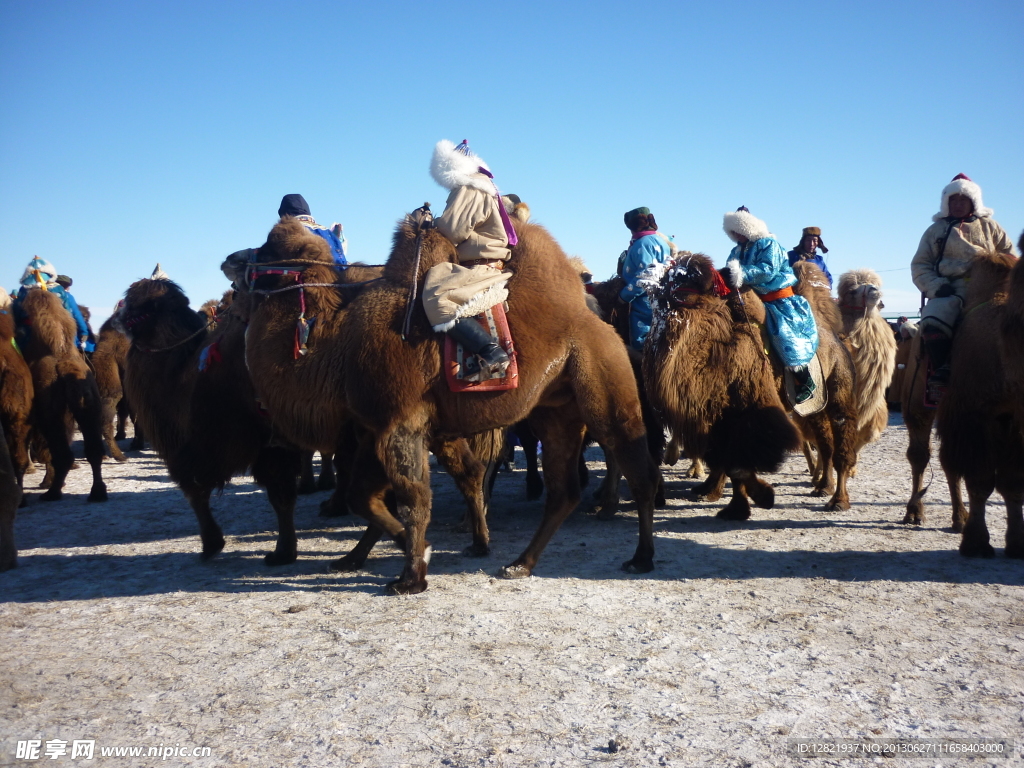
[[477, 222]]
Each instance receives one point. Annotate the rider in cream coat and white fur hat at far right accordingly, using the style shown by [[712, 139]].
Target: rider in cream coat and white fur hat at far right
[[963, 231]]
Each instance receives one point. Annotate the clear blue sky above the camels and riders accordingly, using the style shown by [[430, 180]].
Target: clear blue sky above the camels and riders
[[138, 133]]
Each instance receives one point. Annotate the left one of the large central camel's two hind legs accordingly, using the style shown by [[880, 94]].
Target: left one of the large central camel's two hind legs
[[563, 441]]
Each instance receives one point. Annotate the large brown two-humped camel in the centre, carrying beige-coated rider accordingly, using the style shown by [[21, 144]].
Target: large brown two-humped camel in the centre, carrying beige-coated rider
[[367, 364]]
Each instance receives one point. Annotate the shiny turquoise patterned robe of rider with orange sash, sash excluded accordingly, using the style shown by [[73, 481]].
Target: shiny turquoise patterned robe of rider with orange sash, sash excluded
[[791, 323]]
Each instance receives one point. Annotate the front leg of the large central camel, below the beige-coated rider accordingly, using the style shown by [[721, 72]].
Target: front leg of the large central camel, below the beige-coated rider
[[403, 452]]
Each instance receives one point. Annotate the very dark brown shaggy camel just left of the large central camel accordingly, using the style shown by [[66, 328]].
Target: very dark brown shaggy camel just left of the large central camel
[[195, 401]]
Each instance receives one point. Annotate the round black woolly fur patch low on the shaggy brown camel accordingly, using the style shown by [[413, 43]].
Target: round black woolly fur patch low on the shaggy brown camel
[[755, 439]]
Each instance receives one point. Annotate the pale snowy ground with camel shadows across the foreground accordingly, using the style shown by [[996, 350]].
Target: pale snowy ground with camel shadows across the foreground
[[796, 624]]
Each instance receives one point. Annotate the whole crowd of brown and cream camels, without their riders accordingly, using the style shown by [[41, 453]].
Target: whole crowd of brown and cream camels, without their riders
[[232, 390]]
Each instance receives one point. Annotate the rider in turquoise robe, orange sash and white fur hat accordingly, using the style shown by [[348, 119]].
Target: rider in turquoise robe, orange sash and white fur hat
[[760, 261]]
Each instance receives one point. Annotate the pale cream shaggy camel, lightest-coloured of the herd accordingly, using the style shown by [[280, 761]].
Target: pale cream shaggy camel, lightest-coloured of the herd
[[873, 348]]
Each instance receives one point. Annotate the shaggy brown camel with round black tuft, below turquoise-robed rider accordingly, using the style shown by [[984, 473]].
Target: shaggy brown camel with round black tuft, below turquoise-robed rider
[[709, 377]]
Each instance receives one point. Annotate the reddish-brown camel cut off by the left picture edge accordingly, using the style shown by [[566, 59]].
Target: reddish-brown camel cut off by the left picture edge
[[16, 393]]
